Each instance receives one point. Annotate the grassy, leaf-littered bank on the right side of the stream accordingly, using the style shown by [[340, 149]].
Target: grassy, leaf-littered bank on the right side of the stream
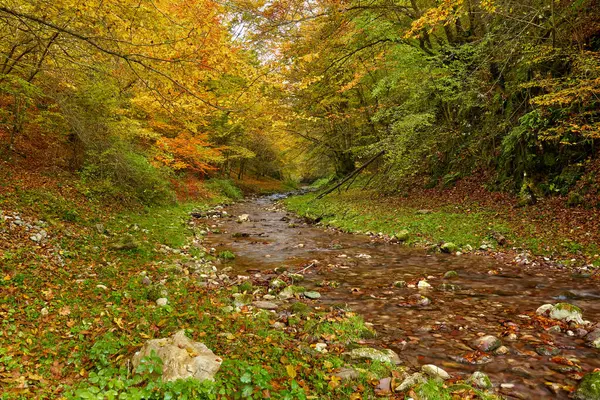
[[466, 215]]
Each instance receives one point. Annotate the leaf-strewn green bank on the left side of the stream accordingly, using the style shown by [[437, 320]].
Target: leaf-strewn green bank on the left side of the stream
[[79, 282]]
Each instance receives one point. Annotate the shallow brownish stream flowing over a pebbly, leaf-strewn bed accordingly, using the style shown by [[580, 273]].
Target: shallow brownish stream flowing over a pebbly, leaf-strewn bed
[[492, 299]]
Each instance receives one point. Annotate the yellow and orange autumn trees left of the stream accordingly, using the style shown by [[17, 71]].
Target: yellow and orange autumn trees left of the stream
[[133, 92]]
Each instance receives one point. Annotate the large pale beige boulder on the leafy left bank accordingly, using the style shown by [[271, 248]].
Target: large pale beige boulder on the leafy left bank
[[182, 358]]
